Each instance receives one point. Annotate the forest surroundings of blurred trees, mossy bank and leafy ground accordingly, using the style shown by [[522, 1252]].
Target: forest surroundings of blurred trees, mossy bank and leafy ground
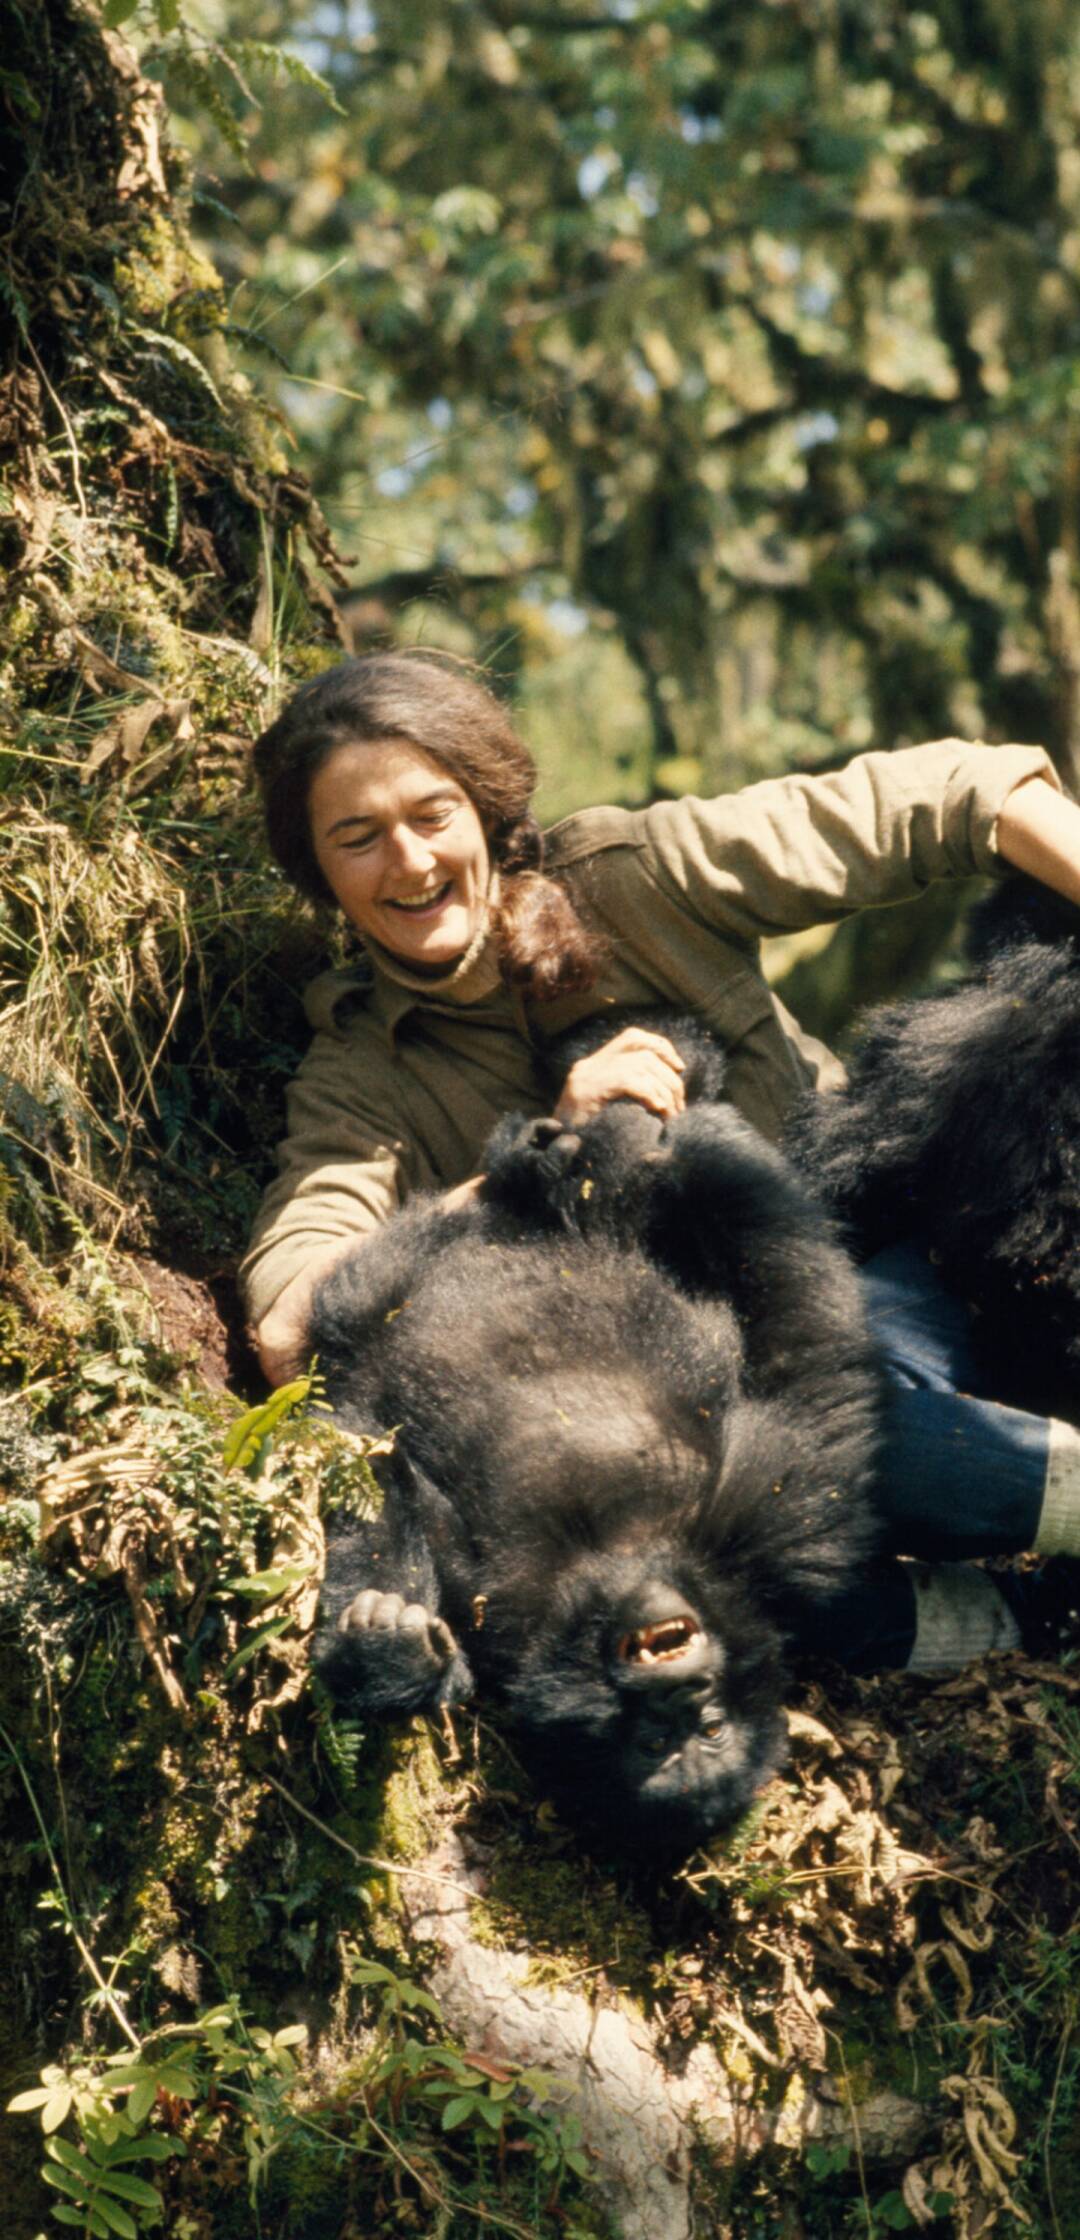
[[714, 377]]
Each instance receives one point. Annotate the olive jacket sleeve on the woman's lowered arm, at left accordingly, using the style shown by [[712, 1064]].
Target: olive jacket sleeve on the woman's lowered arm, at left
[[339, 1175]]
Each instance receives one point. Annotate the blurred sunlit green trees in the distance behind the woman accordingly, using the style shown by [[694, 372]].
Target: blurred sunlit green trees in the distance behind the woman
[[750, 333]]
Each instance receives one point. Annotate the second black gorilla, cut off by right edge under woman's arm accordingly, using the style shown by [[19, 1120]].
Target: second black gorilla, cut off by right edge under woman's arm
[[962, 1128]]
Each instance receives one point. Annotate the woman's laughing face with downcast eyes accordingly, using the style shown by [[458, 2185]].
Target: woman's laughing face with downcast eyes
[[402, 850]]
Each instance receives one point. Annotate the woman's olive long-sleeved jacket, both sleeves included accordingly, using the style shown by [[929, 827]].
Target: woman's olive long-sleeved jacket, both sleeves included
[[407, 1079]]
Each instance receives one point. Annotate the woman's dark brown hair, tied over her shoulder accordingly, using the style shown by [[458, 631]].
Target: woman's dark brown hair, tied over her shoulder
[[541, 942]]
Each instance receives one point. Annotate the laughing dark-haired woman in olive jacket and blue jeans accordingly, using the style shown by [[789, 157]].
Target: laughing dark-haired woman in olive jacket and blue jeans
[[398, 787]]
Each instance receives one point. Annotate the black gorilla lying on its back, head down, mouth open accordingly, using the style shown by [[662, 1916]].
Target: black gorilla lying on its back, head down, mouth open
[[637, 1419]]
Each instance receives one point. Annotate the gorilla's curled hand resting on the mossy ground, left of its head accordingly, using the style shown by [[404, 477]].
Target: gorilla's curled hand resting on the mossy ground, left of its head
[[395, 1656]]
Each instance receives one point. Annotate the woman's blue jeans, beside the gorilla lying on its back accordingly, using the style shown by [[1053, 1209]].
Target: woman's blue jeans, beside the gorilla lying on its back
[[960, 1475]]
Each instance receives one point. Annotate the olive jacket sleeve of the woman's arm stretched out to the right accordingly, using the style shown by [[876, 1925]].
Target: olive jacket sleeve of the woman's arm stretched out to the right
[[799, 852]]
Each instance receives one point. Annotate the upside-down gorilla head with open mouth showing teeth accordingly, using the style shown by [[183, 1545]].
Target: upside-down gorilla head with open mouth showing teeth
[[651, 1715]]
